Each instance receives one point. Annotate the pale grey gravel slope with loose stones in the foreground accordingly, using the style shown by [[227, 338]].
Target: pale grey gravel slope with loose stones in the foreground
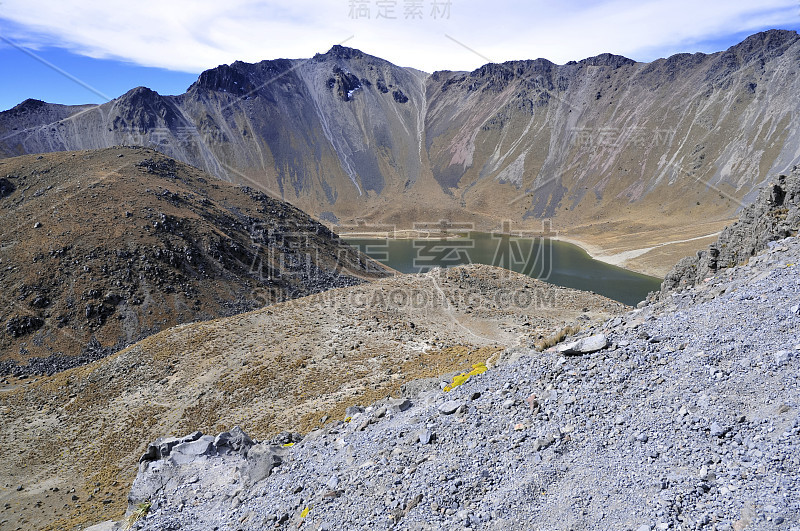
[[687, 418]]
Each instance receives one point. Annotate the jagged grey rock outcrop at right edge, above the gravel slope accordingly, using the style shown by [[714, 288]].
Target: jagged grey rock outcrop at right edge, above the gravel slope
[[774, 216]]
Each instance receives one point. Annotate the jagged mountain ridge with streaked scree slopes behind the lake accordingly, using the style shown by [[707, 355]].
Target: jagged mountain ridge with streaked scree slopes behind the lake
[[658, 152]]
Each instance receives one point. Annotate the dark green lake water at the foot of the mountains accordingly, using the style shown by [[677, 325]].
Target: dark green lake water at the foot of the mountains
[[553, 261]]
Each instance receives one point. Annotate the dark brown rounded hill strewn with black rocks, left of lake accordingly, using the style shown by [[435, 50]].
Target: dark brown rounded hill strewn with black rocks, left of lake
[[103, 248]]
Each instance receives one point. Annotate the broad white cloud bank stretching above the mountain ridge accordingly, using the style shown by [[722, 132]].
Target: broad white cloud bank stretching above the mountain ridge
[[194, 35]]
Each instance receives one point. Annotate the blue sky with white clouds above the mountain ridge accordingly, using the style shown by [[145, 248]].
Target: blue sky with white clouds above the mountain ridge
[[90, 51]]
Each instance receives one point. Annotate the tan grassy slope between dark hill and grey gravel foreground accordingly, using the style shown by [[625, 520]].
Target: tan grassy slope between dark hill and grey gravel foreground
[[77, 436]]
